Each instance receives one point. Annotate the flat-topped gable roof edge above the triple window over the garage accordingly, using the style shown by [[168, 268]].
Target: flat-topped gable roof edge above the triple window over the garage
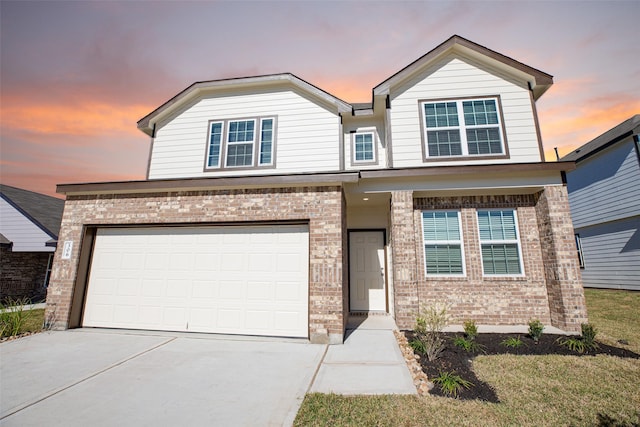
[[146, 123]]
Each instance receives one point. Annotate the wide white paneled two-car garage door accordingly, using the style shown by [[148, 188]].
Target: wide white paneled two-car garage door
[[230, 280]]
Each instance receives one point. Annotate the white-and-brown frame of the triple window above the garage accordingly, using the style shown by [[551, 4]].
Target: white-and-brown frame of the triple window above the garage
[[256, 149]]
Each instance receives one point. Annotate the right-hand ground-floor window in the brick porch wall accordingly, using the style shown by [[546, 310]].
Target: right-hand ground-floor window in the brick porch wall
[[499, 242]]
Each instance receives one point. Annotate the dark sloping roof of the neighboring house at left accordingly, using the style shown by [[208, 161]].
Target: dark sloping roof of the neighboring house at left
[[44, 211]]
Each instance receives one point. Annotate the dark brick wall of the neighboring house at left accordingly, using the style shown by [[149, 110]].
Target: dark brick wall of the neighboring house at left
[[22, 274]]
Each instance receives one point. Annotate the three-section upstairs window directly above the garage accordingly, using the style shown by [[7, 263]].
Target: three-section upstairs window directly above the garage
[[241, 143]]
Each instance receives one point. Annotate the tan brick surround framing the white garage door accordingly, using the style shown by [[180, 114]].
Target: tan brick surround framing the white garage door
[[322, 207]]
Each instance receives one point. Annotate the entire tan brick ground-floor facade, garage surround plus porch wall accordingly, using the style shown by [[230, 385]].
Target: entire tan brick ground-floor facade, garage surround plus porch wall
[[550, 288]]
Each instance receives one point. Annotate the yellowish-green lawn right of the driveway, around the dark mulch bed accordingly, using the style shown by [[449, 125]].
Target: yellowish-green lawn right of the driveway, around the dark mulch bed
[[533, 390]]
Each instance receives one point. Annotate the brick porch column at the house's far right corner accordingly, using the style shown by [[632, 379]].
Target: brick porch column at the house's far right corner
[[561, 268]]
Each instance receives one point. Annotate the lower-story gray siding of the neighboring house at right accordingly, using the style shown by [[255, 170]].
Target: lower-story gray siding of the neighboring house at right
[[612, 254]]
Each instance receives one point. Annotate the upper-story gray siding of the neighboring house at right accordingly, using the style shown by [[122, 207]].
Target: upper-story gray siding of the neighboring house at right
[[606, 186]]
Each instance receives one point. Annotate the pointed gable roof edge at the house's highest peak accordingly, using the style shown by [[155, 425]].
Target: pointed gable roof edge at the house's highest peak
[[539, 81]]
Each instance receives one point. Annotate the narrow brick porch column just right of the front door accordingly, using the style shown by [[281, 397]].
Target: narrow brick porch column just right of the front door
[[404, 258]]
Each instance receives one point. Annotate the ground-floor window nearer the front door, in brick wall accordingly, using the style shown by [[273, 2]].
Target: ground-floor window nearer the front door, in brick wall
[[442, 236]]
